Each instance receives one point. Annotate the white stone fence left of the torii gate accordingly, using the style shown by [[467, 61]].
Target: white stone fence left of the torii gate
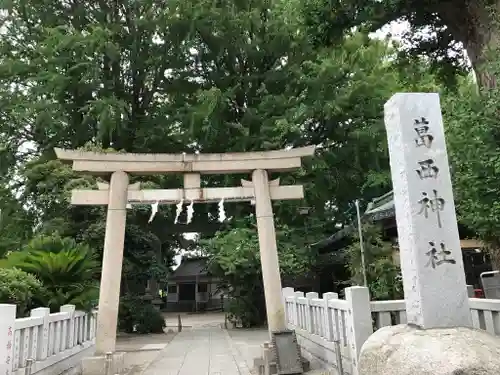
[[45, 343]]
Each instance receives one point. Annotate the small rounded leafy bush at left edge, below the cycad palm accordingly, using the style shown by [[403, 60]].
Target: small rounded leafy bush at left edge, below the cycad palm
[[18, 287]]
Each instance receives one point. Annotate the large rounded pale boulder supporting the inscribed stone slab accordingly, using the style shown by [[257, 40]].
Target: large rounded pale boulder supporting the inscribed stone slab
[[408, 350]]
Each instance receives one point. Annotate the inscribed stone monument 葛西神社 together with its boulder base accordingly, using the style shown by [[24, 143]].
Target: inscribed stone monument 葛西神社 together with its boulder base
[[438, 337]]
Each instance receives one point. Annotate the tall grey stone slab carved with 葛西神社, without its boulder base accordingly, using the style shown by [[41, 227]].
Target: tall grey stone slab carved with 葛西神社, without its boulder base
[[431, 256]]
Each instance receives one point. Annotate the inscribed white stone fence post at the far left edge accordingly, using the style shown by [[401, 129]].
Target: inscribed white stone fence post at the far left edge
[[7, 324]]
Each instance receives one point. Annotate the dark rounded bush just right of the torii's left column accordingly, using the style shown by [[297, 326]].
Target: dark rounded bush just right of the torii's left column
[[137, 316]]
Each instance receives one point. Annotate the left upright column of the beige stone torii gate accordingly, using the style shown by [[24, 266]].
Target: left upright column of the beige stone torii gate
[[109, 293]]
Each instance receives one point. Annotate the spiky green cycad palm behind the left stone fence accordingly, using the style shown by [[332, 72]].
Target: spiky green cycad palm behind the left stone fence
[[67, 271]]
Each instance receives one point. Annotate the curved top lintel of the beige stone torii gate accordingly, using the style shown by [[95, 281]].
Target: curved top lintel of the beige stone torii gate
[[240, 162]]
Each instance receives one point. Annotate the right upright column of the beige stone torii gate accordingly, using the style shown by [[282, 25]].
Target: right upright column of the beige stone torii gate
[[268, 252]]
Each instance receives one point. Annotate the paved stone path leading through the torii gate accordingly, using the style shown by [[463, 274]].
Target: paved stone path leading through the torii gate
[[201, 351]]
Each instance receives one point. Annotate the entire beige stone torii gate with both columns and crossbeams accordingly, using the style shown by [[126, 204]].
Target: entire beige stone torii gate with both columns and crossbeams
[[119, 193]]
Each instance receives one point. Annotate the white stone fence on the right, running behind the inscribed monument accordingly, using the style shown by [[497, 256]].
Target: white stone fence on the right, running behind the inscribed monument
[[331, 331]]
